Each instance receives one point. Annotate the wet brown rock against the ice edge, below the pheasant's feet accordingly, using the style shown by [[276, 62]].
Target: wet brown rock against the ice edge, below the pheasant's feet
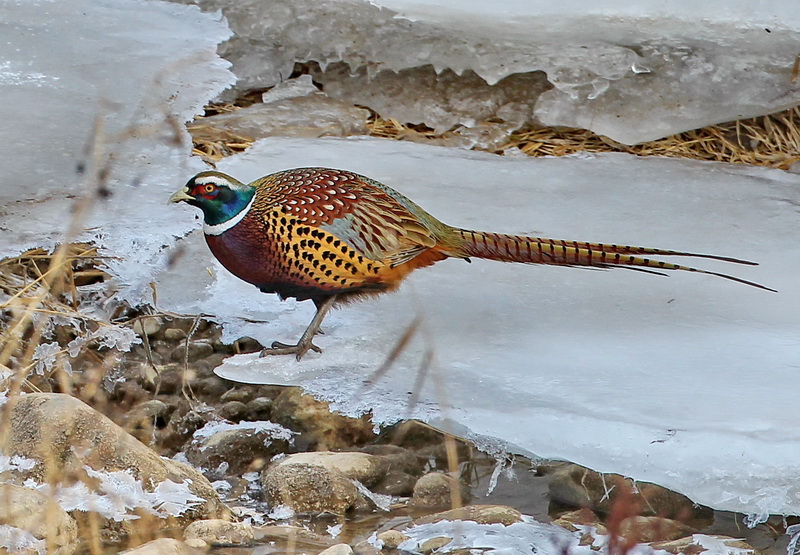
[[320, 428]]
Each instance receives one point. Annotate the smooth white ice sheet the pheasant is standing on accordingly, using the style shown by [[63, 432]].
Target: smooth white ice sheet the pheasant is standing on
[[689, 381]]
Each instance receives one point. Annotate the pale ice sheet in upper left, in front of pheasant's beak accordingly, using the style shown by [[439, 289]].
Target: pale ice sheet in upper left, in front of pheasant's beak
[[102, 87]]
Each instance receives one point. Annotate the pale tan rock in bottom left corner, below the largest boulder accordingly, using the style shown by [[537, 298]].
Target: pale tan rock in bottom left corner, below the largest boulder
[[36, 513]]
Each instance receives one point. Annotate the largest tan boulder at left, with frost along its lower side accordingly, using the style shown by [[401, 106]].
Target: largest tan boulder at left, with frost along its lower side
[[63, 436]]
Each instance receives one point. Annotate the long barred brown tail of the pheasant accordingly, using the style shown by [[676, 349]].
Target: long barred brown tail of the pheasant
[[537, 250]]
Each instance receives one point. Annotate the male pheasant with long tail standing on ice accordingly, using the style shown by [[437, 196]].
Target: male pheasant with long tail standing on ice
[[329, 235]]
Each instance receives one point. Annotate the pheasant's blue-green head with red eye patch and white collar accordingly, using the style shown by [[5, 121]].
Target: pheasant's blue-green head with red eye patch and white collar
[[223, 199]]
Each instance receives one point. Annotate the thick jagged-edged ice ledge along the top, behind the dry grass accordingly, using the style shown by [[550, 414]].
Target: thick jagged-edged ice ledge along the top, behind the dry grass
[[633, 70]]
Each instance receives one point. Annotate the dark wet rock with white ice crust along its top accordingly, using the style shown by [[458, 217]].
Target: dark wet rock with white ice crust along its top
[[242, 449]]
